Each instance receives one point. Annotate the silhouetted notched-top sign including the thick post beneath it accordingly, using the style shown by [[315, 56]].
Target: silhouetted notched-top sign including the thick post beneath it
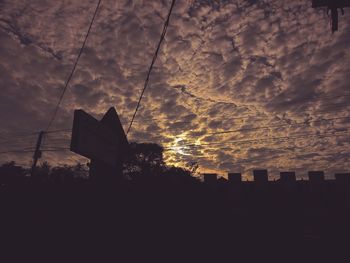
[[104, 142]]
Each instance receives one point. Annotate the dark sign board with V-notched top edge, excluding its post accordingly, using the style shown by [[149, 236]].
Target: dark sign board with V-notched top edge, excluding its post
[[103, 141]]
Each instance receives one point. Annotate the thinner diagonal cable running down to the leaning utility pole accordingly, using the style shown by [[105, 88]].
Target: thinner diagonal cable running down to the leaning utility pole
[[73, 69]]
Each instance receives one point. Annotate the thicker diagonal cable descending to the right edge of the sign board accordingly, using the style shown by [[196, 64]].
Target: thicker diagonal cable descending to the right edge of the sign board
[[152, 63]]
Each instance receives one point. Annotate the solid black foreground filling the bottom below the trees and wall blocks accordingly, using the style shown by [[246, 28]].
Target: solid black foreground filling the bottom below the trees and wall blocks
[[165, 220]]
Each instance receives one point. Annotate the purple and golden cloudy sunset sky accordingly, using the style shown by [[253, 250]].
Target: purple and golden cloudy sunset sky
[[237, 85]]
